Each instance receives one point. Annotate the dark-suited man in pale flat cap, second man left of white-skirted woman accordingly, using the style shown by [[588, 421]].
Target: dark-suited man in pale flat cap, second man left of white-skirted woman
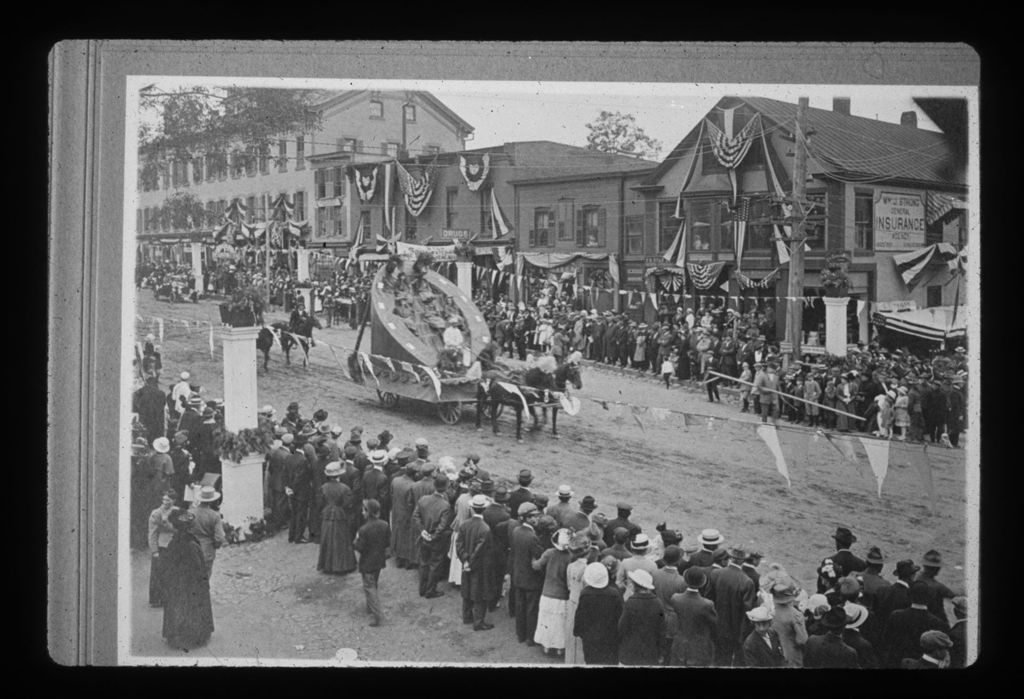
[[476, 550]]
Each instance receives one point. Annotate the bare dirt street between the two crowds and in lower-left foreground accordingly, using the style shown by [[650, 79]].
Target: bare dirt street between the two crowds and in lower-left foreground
[[269, 601]]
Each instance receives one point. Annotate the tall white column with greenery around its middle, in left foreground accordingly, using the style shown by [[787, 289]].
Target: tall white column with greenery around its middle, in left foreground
[[242, 483]]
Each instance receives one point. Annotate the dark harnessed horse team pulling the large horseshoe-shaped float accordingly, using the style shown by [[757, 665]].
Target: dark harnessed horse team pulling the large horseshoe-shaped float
[[536, 387]]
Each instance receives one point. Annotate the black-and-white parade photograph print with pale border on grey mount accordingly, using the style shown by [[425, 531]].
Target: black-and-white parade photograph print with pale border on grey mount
[[463, 372]]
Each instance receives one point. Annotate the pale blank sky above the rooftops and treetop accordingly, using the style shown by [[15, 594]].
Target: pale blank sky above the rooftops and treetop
[[504, 112]]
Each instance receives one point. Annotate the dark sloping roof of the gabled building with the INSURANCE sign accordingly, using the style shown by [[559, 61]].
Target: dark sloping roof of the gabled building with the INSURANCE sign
[[854, 146]]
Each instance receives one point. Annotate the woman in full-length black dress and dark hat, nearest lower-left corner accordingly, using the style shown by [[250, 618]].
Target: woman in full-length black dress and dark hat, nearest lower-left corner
[[188, 611]]
